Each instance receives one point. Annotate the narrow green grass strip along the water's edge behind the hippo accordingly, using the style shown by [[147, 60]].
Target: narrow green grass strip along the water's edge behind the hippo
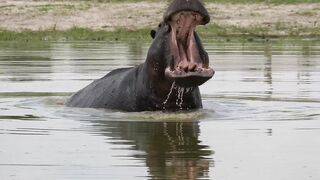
[[209, 31]]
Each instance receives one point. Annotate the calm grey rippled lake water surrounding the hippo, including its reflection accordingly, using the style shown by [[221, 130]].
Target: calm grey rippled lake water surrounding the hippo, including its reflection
[[261, 117]]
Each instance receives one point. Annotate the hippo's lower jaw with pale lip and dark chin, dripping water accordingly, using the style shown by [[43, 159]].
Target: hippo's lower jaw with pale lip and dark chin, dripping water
[[189, 79]]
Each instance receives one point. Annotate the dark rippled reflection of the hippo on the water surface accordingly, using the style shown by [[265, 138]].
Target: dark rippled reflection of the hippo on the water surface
[[172, 150]]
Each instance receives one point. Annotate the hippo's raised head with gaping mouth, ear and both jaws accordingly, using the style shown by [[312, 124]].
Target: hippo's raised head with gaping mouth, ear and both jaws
[[177, 53]]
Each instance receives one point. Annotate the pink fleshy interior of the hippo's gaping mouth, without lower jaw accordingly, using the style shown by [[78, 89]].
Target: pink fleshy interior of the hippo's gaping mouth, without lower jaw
[[183, 44]]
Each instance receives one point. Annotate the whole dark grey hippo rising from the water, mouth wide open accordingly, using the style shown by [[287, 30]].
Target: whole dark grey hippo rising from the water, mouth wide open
[[169, 79]]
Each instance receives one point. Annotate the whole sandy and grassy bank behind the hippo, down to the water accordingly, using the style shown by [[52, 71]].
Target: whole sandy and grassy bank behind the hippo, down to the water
[[101, 20]]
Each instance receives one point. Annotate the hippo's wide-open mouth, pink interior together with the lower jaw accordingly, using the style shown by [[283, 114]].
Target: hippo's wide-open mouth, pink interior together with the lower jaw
[[187, 67]]
